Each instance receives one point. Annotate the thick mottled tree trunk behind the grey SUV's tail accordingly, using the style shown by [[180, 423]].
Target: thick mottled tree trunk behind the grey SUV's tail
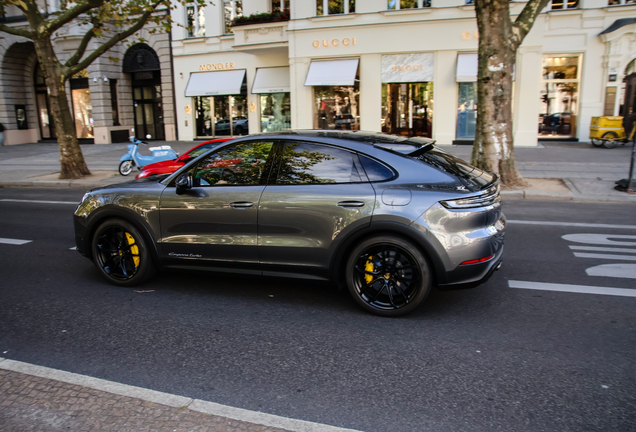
[[493, 148]]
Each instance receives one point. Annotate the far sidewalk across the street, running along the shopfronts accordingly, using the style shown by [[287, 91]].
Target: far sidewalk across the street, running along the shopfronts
[[554, 170]]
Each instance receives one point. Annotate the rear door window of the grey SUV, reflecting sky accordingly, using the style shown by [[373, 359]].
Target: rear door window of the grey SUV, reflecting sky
[[304, 163]]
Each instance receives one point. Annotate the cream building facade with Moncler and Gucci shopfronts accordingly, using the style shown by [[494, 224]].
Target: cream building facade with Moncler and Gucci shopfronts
[[403, 67]]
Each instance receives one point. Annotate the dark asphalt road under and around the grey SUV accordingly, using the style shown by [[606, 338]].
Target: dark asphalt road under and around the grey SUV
[[488, 359]]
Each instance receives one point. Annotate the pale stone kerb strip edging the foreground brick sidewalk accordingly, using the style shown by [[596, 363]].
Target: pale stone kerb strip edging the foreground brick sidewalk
[[170, 399]]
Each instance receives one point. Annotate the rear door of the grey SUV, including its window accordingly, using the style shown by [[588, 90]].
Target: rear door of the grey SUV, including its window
[[316, 195]]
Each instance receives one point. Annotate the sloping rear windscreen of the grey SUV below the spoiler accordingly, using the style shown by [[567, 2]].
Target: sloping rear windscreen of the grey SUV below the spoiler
[[473, 178]]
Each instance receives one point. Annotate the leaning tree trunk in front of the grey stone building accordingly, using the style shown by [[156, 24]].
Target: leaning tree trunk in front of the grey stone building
[[72, 161]]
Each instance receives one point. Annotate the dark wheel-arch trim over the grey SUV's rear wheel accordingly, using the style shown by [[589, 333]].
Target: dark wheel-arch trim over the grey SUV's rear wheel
[[387, 227]]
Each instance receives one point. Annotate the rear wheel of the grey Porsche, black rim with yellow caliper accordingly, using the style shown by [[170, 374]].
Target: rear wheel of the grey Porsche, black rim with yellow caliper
[[388, 276]]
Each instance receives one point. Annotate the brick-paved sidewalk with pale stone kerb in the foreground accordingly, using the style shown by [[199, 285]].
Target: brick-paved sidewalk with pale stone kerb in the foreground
[[36, 398]]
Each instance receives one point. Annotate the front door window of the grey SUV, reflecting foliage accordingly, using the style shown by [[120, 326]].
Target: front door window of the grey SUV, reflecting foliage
[[240, 164]]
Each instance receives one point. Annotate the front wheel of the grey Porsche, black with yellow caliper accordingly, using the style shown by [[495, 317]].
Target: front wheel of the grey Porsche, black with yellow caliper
[[121, 254]]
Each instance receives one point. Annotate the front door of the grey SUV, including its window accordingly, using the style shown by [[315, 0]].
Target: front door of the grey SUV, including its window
[[216, 219]]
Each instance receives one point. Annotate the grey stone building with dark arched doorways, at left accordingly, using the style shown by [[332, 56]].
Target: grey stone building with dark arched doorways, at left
[[127, 91]]
